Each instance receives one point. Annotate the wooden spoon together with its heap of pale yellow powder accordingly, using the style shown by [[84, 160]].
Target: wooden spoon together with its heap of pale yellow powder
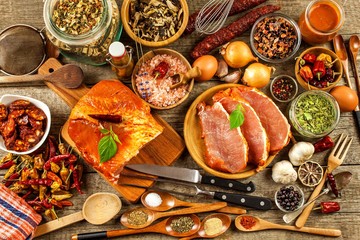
[[212, 226]]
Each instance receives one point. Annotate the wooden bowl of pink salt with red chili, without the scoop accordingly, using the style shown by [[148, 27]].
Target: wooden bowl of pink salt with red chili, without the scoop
[[155, 74]]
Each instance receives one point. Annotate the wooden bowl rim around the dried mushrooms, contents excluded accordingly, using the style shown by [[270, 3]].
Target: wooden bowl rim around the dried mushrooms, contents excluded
[[125, 18]]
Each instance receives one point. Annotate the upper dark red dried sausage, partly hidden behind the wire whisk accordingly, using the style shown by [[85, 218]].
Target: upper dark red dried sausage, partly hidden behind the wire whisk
[[237, 7]]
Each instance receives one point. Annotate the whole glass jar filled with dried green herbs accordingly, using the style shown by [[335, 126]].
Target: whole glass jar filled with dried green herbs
[[313, 114]]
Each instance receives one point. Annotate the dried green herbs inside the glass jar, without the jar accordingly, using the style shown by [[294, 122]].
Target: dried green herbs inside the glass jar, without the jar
[[314, 113]]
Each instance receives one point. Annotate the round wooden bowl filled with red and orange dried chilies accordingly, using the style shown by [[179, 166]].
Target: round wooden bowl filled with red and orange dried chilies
[[318, 68]]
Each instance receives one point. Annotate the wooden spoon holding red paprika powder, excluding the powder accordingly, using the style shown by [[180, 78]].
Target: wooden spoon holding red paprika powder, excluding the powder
[[260, 224]]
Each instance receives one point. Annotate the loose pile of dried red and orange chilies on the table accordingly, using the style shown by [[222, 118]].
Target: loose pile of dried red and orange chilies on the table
[[45, 178]]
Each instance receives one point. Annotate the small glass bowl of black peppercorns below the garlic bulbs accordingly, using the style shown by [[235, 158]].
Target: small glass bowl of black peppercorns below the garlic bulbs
[[289, 198]]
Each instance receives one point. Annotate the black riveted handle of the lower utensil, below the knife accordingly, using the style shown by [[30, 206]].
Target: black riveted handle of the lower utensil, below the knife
[[259, 203]]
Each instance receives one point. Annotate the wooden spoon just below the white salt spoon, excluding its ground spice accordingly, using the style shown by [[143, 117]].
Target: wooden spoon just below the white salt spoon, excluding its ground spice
[[153, 215]]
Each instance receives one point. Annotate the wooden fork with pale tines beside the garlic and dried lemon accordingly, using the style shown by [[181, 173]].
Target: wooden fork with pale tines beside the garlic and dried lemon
[[335, 159]]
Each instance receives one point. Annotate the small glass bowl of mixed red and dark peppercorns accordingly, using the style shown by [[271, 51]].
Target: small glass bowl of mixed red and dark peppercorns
[[283, 88]]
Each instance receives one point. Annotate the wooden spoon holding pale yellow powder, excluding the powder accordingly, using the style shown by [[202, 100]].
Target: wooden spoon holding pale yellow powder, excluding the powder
[[226, 222]]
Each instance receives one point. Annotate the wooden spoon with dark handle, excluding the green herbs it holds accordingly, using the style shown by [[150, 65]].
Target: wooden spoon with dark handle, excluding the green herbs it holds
[[163, 227]]
